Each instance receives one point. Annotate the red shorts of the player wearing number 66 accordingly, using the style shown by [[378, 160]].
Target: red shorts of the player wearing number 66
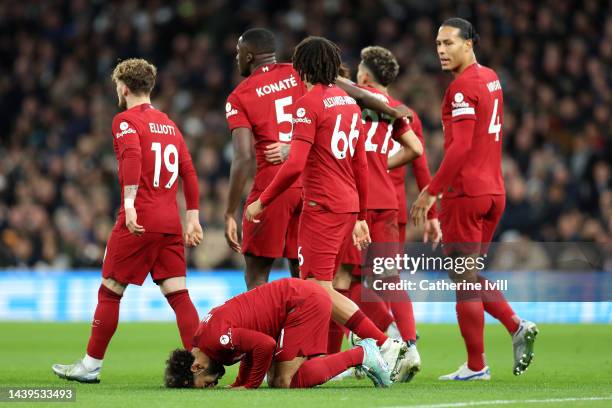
[[322, 237]]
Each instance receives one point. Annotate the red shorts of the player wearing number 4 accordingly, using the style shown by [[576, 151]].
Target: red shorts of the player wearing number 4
[[468, 223]]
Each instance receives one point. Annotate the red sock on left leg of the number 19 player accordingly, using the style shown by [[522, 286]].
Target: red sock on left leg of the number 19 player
[[104, 322]]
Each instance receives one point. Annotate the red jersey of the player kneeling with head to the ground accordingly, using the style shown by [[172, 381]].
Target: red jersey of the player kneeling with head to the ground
[[263, 309]]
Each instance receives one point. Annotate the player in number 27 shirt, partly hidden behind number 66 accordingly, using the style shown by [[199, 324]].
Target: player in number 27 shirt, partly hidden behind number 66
[[377, 70]]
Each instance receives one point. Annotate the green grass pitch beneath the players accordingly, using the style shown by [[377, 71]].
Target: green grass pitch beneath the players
[[573, 363]]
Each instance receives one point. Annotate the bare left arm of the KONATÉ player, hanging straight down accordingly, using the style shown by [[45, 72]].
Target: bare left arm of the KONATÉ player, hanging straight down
[[242, 163]]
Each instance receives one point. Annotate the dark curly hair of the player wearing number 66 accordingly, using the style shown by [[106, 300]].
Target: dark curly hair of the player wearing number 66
[[317, 60]]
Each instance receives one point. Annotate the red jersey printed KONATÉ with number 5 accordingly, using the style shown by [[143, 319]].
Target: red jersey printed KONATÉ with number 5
[[263, 102]]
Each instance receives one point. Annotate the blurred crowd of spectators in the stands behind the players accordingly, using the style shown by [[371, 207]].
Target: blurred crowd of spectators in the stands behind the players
[[58, 185]]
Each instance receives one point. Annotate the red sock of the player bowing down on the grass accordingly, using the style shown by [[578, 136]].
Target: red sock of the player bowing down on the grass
[[319, 370]]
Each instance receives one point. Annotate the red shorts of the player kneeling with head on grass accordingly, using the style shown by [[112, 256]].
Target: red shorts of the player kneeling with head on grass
[[306, 328]]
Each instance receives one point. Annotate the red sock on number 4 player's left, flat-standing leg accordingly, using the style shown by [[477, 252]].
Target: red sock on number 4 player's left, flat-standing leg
[[470, 315]]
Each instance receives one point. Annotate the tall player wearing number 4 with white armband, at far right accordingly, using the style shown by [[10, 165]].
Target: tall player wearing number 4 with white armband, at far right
[[471, 186]]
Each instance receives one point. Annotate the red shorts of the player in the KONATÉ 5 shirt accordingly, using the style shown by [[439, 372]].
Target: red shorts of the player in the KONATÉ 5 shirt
[[275, 235]]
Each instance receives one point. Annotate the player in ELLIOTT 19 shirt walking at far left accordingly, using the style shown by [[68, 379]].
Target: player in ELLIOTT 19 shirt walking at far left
[[147, 237]]
